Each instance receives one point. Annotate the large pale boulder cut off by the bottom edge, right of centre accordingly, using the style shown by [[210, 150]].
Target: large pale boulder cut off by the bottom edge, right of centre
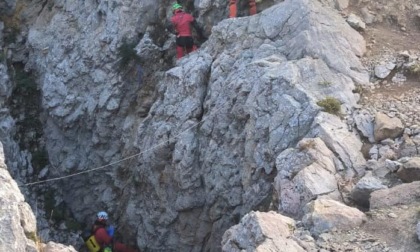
[[261, 232]]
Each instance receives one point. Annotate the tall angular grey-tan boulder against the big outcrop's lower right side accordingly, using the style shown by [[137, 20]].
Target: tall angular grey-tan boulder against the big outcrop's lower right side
[[300, 173]]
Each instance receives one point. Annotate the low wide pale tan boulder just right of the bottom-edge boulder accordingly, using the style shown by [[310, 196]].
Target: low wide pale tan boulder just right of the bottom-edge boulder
[[324, 215]]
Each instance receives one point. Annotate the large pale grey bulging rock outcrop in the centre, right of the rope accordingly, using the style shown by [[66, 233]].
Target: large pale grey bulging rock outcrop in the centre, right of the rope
[[253, 87]]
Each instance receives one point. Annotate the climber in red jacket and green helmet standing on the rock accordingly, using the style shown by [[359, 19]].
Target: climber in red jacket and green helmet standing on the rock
[[182, 22]]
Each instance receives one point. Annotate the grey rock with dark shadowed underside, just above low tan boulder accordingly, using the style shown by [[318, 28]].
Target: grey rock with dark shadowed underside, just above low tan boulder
[[363, 188]]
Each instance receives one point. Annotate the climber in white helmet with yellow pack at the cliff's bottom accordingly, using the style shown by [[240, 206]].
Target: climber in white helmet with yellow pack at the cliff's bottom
[[103, 238]]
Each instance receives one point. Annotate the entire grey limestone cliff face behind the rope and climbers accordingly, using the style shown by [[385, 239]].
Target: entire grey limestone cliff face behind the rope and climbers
[[178, 152]]
